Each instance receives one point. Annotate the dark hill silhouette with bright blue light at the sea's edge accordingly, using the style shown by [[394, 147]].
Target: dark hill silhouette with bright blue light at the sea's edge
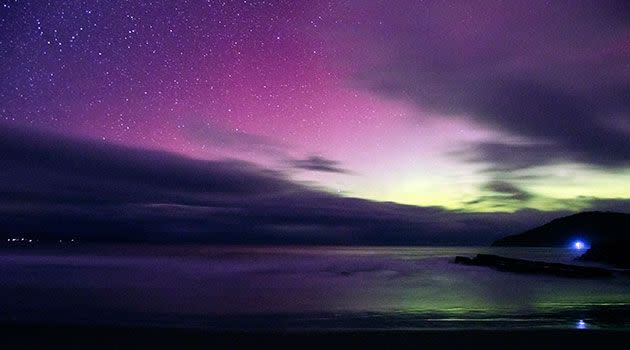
[[595, 228]]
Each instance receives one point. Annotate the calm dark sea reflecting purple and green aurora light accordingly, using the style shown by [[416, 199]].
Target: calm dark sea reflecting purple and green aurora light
[[300, 288]]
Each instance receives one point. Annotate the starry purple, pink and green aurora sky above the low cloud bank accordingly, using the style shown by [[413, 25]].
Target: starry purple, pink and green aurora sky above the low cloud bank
[[468, 106]]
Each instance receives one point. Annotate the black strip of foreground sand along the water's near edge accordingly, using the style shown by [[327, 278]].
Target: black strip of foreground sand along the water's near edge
[[13, 336]]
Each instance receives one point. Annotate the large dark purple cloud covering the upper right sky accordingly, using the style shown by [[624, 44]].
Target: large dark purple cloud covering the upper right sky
[[552, 73]]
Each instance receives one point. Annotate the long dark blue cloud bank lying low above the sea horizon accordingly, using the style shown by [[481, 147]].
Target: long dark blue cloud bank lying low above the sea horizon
[[54, 186]]
